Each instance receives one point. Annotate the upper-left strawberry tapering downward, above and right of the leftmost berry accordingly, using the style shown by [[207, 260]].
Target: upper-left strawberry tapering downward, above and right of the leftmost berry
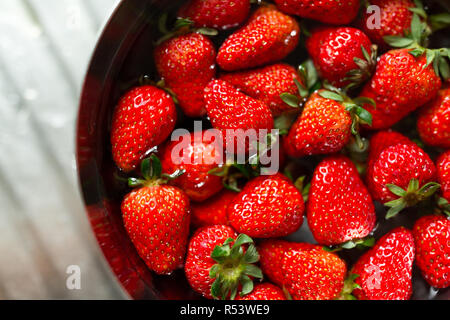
[[187, 64]]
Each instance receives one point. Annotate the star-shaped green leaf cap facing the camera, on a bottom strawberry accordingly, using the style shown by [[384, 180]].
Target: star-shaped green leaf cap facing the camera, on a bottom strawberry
[[234, 268]]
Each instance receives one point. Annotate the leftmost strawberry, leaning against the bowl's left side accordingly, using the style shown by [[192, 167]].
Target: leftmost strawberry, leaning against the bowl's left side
[[144, 117]]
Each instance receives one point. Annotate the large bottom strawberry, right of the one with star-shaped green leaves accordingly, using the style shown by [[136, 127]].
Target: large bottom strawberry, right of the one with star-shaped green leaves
[[306, 271]]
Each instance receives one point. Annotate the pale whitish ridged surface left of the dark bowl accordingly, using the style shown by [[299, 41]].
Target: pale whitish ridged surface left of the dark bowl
[[45, 46]]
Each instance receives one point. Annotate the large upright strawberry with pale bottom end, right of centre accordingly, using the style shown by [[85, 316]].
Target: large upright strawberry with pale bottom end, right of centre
[[340, 208]]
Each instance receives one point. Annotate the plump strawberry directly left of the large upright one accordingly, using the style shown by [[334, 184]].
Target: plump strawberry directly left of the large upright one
[[267, 207]]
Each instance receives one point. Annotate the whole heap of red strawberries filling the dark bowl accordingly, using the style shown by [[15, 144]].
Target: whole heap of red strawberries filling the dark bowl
[[337, 111]]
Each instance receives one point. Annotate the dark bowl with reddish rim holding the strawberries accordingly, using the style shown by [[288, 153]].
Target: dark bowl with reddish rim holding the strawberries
[[123, 54]]
